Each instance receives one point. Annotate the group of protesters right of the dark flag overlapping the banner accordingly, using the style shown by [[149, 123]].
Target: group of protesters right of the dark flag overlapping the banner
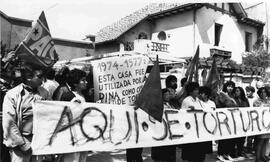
[[201, 98]]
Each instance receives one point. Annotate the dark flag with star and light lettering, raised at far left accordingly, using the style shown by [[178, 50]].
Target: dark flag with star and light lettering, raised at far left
[[38, 47]]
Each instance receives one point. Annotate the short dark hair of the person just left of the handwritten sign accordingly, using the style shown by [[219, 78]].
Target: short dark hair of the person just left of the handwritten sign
[[74, 77]]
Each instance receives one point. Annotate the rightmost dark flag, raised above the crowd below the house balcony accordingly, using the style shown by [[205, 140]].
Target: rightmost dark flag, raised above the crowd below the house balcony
[[213, 79]]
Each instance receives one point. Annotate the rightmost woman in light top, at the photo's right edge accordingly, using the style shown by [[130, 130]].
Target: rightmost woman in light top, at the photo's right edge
[[261, 140]]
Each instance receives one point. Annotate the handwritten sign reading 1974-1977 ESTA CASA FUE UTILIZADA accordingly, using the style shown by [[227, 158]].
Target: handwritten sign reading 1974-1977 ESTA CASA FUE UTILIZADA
[[117, 80]]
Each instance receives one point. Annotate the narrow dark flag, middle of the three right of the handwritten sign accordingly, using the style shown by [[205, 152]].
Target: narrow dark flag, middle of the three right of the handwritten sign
[[192, 70]]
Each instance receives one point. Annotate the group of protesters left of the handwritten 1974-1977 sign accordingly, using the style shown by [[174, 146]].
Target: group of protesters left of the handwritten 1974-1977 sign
[[21, 84]]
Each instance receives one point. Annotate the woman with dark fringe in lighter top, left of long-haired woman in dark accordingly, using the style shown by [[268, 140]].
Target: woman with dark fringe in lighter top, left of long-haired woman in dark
[[225, 100]]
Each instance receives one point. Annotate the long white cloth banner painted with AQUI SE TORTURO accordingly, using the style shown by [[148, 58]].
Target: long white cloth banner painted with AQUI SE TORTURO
[[63, 127]]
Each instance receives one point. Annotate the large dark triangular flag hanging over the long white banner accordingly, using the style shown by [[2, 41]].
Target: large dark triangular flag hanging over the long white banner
[[150, 98]]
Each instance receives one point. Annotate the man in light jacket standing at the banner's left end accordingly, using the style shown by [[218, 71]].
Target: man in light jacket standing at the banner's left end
[[18, 114]]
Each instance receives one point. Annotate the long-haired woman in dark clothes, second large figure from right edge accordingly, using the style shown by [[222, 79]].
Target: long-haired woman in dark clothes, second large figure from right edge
[[241, 101]]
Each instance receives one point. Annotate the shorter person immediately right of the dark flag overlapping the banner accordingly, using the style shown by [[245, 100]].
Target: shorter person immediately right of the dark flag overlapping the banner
[[165, 153]]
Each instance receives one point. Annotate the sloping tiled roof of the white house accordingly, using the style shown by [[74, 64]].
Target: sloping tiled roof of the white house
[[113, 31]]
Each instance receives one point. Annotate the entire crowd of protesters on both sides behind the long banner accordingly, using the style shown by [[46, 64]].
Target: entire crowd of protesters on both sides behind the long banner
[[22, 84]]
